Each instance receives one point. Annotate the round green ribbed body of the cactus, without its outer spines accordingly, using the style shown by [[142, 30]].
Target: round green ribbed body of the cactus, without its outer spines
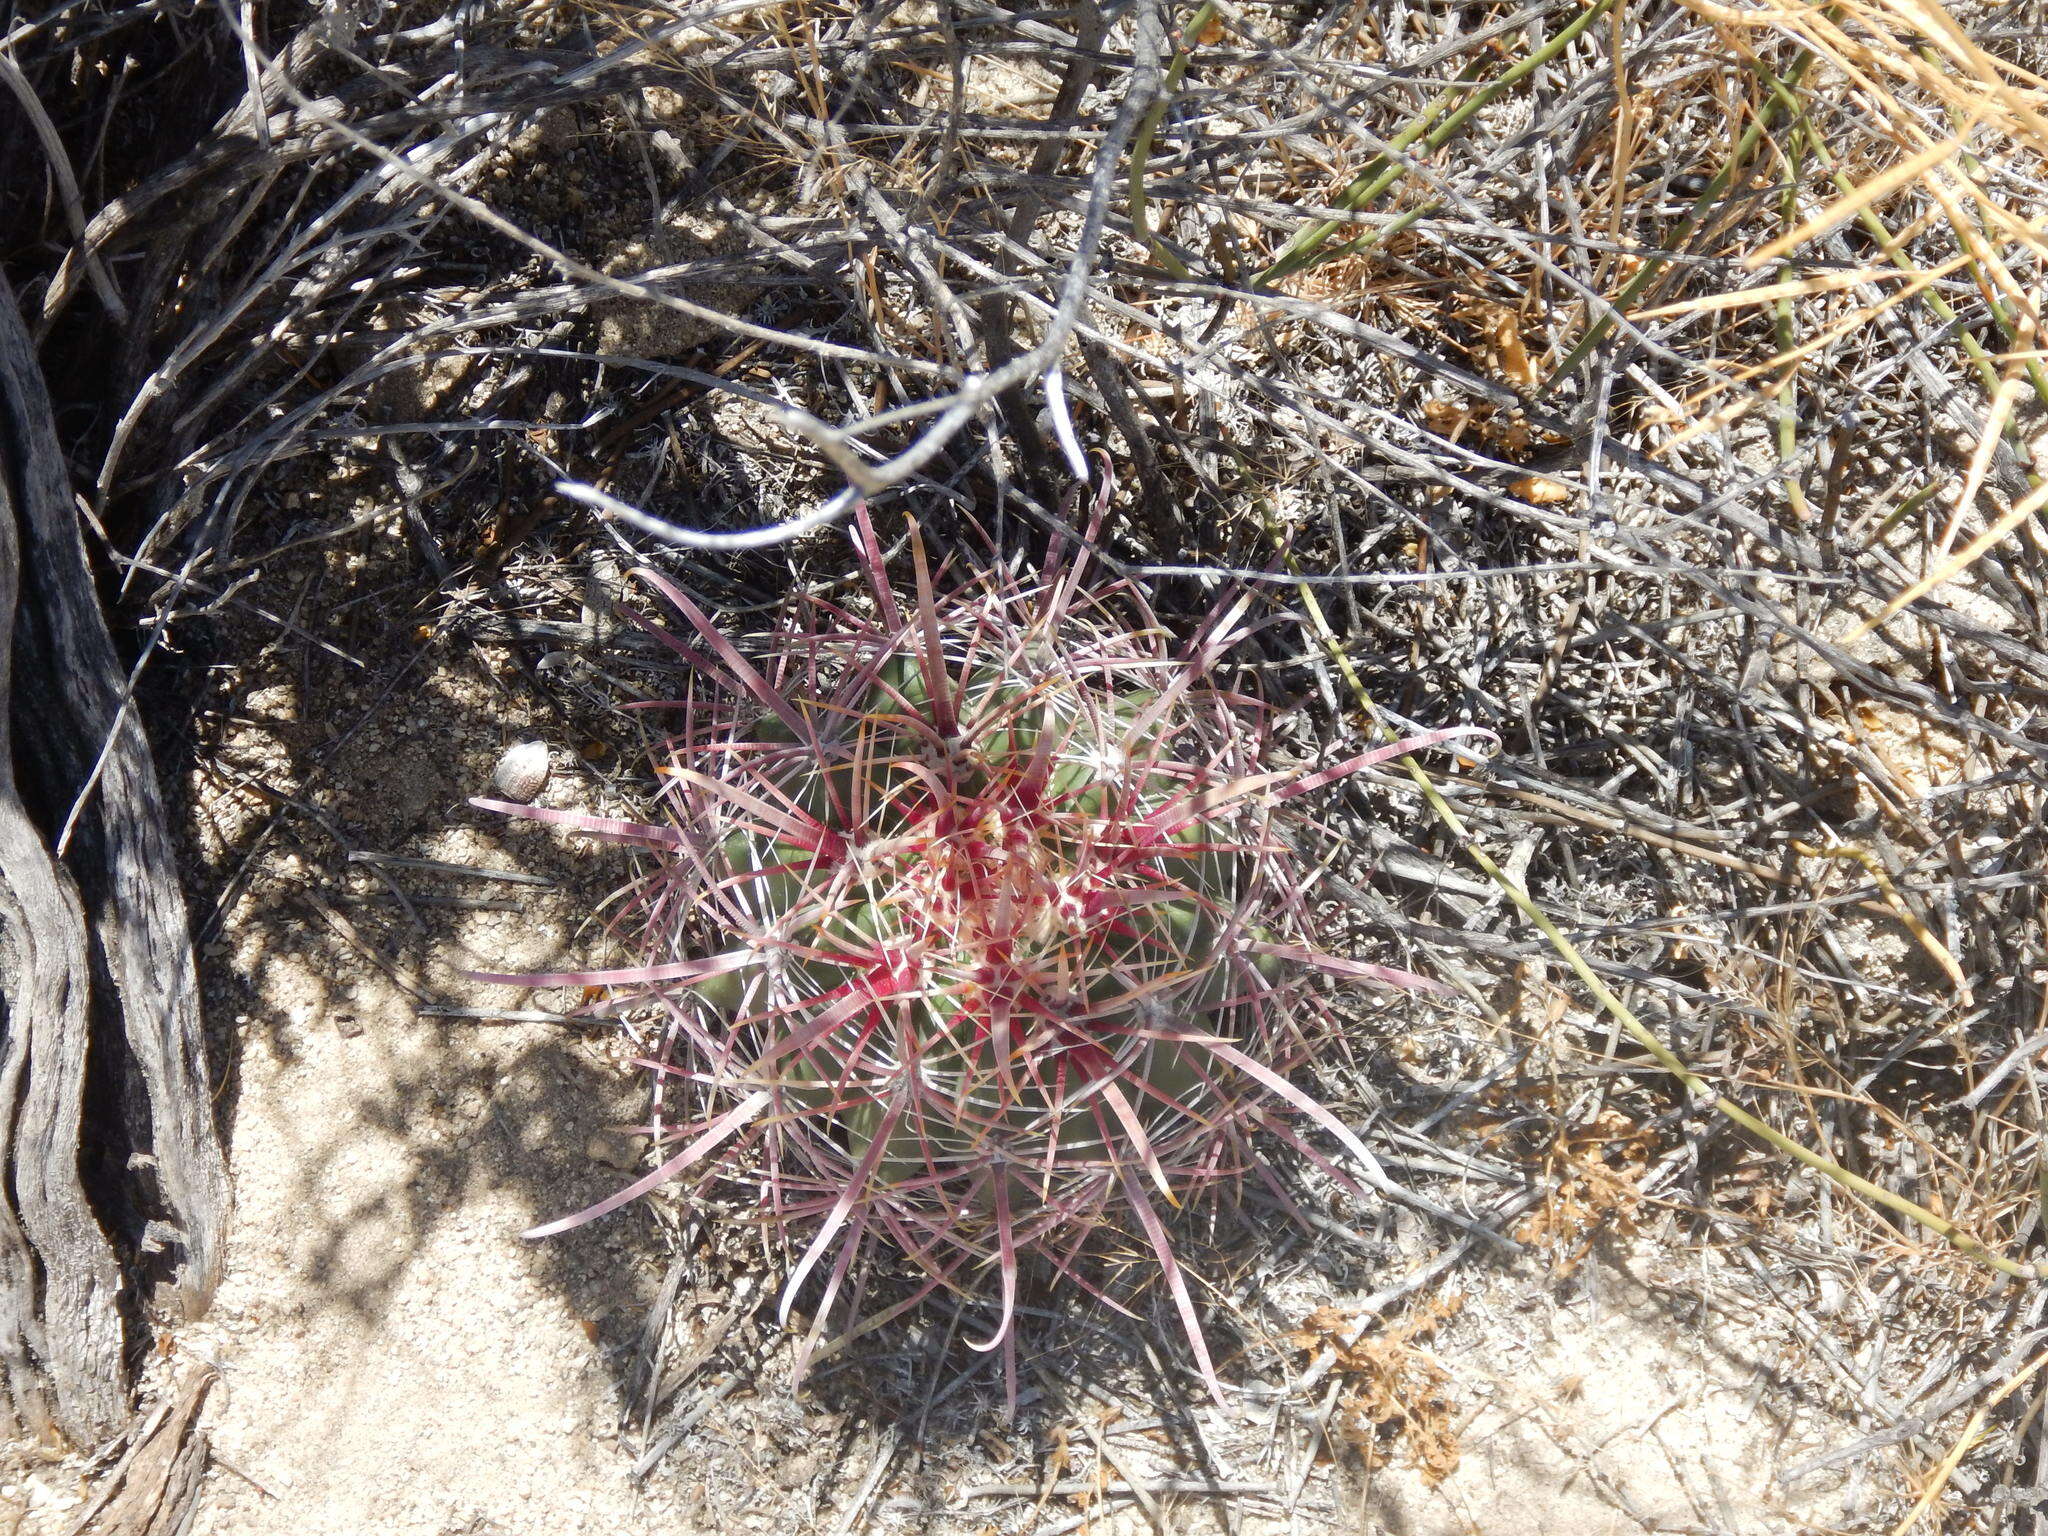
[[994, 916]]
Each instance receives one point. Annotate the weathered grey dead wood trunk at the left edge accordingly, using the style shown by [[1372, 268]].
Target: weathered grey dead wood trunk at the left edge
[[95, 957]]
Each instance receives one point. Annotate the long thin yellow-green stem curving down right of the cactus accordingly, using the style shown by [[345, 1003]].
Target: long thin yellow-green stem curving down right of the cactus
[[1625, 1017]]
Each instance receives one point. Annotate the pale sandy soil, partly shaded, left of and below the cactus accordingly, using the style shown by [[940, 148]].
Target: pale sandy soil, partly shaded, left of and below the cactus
[[396, 1359]]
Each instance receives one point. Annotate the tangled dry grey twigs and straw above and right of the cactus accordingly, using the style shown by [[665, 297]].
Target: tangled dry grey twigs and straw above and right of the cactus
[[1652, 386]]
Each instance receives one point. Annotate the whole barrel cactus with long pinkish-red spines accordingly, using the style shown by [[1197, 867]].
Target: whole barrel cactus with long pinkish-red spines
[[972, 927]]
